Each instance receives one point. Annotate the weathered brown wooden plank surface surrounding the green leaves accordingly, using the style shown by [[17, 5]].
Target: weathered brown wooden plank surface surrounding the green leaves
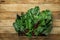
[[9, 9]]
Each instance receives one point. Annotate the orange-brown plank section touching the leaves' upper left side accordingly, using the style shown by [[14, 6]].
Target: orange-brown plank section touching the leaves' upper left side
[[8, 15]]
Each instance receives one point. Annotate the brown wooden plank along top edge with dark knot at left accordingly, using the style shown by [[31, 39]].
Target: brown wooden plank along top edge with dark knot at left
[[28, 1]]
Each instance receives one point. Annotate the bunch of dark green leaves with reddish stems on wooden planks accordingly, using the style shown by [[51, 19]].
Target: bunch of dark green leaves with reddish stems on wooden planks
[[34, 21]]
